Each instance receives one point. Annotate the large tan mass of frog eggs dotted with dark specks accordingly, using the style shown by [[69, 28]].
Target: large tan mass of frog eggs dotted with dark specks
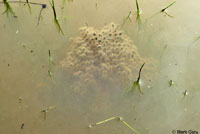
[[102, 56]]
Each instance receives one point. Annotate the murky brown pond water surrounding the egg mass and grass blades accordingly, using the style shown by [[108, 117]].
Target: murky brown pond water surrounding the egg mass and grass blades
[[24, 70]]
